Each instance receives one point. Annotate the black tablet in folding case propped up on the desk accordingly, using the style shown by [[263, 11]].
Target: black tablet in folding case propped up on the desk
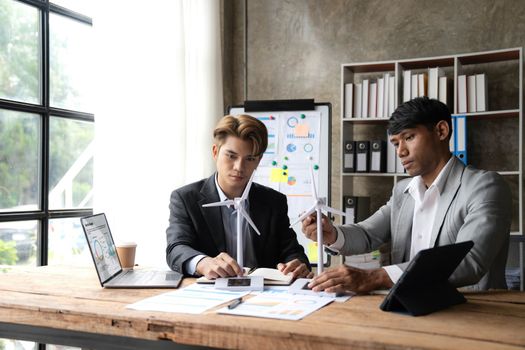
[[423, 287]]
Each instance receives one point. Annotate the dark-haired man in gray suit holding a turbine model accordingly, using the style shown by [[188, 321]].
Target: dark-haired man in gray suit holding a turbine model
[[443, 203]]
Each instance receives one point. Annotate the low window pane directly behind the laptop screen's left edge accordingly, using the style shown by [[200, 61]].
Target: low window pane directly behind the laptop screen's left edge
[[67, 243]]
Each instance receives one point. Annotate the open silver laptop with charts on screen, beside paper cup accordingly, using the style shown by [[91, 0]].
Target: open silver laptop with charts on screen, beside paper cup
[[107, 263]]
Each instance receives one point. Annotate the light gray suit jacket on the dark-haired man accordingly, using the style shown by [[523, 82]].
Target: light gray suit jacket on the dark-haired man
[[474, 205]]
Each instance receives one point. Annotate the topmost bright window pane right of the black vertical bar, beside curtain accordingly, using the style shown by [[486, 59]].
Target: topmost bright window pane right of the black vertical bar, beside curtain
[[70, 64]]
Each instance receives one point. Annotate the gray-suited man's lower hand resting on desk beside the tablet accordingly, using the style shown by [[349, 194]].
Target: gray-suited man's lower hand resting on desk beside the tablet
[[346, 278]]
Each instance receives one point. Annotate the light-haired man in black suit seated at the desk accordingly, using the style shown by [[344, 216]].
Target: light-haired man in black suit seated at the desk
[[202, 241]]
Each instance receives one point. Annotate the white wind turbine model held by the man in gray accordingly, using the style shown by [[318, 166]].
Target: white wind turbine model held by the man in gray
[[319, 205]]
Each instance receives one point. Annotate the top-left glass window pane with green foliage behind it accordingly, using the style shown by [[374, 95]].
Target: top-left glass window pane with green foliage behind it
[[19, 52]]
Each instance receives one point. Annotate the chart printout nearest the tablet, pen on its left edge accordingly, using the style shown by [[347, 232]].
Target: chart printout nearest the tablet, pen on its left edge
[[270, 304]]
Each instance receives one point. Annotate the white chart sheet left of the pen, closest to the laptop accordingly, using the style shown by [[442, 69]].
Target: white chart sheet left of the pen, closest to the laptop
[[194, 299]]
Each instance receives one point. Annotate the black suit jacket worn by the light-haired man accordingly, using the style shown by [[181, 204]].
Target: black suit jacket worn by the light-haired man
[[195, 230]]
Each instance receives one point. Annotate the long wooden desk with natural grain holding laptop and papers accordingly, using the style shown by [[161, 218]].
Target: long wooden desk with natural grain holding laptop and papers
[[66, 305]]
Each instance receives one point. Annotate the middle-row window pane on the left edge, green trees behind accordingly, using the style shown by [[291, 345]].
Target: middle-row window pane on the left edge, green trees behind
[[19, 161]]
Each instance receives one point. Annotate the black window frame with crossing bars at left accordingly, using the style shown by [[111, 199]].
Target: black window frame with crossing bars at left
[[44, 214]]
